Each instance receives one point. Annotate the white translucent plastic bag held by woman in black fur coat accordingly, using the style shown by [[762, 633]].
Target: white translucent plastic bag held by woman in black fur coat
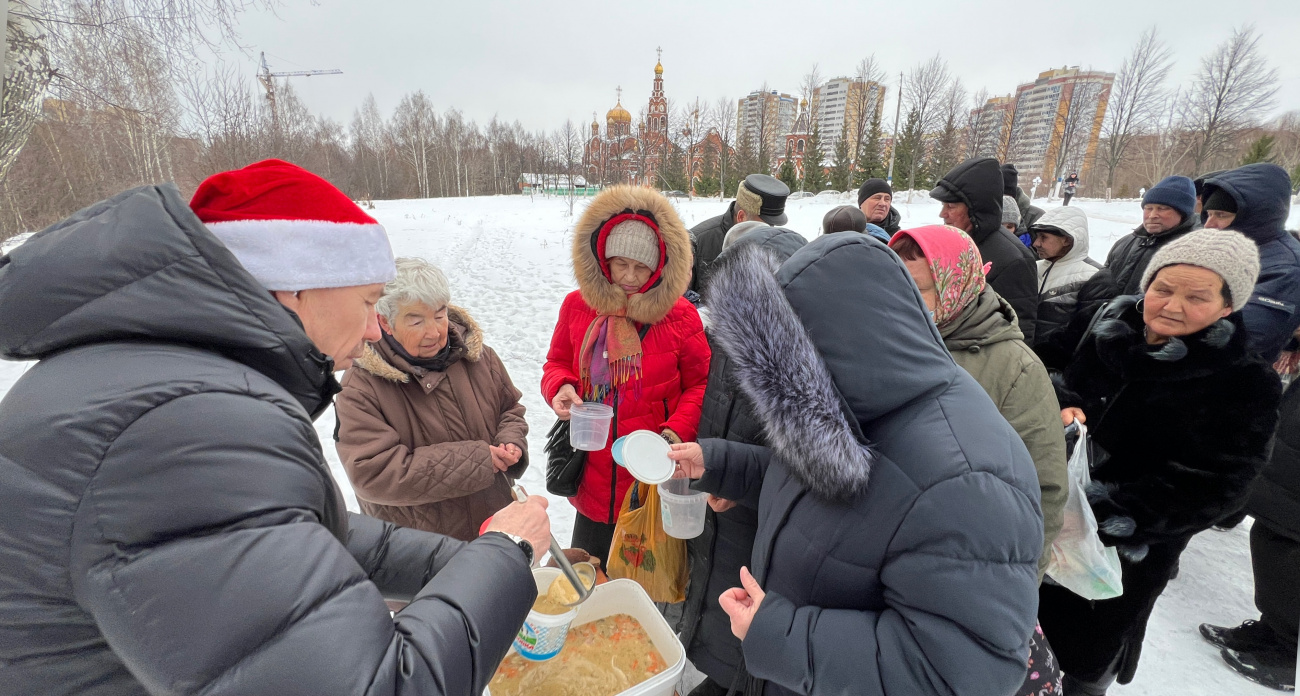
[[1080, 561]]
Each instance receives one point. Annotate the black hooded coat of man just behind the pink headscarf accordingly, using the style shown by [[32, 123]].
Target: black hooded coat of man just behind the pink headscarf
[[978, 183]]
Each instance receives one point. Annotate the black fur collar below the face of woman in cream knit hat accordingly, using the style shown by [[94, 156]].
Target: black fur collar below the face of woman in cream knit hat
[[1123, 347]]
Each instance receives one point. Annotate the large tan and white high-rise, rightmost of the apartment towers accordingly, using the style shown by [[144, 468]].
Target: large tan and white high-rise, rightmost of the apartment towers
[[1058, 122]]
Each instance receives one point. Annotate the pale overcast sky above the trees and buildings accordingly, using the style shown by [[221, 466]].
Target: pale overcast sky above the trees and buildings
[[543, 63]]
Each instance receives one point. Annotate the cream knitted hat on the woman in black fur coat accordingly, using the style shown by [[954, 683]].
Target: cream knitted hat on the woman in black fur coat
[[1230, 254]]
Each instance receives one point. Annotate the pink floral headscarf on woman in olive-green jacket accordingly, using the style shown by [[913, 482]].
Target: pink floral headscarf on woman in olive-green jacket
[[956, 265]]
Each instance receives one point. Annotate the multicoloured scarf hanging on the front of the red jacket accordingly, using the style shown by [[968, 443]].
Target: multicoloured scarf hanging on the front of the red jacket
[[612, 358]]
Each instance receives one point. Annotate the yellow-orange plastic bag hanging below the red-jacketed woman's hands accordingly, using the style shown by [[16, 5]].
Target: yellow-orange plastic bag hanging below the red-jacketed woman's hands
[[642, 551]]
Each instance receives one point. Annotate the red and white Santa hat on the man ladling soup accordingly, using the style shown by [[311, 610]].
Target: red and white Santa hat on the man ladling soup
[[292, 230]]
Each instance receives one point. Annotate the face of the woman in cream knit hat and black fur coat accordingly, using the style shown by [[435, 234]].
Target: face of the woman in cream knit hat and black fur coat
[[1184, 300]]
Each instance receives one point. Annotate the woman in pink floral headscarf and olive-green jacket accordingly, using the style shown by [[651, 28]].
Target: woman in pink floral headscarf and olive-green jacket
[[980, 330]]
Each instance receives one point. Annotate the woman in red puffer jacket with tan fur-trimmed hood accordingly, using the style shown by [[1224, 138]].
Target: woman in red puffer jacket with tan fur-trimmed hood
[[632, 261]]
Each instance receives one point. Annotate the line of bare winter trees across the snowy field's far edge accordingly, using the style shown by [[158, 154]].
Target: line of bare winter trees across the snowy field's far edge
[[103, 96]]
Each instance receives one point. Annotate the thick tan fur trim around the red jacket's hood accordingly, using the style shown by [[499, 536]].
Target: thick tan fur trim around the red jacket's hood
[[675, 265]]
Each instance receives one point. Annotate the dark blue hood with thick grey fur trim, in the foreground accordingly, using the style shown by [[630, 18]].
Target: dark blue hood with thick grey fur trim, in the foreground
[[799, 340]]
